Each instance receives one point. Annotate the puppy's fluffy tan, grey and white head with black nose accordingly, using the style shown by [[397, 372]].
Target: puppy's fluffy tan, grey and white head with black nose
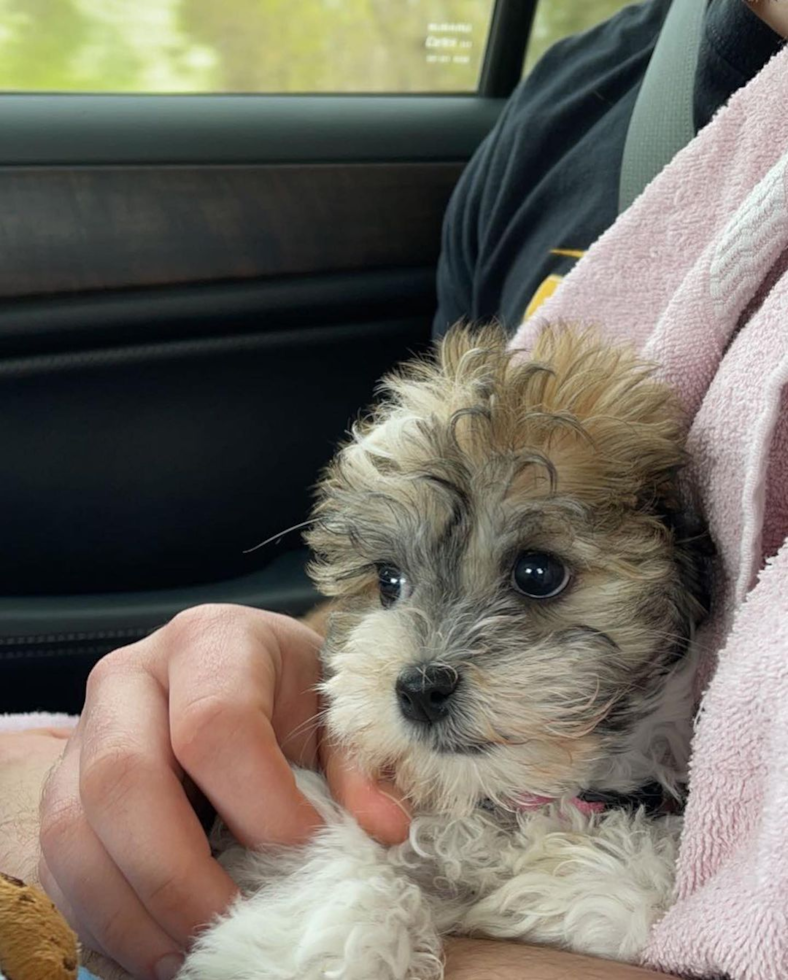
[[512, 592]]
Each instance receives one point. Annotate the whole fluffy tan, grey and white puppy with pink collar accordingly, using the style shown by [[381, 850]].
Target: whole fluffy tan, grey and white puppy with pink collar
[[516, 588]]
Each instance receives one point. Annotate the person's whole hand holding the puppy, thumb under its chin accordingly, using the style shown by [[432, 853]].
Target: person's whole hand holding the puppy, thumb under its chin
[[223, 695]]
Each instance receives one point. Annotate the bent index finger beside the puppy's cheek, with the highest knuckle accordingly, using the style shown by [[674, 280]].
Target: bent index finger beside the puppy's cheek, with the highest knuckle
[[241, 695]]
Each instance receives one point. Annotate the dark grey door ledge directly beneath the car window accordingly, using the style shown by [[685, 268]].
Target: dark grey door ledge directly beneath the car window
[[55, 129]]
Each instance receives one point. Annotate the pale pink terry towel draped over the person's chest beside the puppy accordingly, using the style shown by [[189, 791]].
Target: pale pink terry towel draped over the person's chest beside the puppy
[[694, 274]]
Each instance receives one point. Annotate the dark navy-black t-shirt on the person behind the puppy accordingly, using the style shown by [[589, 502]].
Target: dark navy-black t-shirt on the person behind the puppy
[[545, 180]]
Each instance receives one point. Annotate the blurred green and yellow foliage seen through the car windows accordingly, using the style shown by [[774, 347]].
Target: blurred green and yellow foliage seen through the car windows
[[260, 45]]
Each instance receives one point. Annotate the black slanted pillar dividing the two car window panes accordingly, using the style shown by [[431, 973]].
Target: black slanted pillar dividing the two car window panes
[[508, 39]]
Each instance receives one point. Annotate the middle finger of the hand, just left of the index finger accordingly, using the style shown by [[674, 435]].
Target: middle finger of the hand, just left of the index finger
[[130, 790]]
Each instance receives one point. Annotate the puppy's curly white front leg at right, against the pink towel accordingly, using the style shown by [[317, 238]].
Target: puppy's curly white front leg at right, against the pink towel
[[590, 885]]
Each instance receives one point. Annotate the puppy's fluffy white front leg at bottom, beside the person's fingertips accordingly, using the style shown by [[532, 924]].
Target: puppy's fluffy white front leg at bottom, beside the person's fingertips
[[335, 908]]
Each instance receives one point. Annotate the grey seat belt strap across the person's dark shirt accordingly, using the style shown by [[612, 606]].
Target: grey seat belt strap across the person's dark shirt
[[663, 122]]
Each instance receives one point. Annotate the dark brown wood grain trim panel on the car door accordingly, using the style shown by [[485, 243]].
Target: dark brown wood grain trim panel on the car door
[[81, 229]]
